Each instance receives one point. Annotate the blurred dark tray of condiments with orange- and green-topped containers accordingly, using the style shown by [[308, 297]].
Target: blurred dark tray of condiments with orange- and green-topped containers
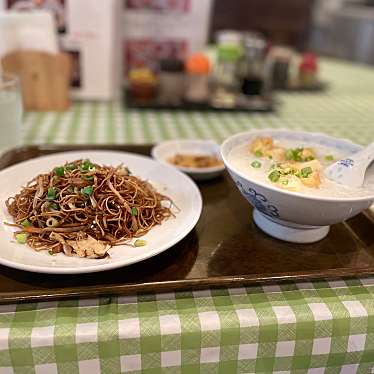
[[234, 77]]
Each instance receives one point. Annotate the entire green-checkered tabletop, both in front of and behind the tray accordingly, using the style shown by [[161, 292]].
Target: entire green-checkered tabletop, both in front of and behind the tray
[[304, 327]]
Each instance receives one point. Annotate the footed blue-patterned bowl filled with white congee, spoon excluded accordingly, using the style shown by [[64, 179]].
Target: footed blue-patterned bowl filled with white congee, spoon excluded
[[281, 174]]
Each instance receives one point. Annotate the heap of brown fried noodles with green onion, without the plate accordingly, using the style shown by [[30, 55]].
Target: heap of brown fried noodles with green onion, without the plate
[[85, 203]]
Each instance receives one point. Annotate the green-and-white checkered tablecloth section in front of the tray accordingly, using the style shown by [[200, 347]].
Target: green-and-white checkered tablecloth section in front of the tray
[[289, 328]]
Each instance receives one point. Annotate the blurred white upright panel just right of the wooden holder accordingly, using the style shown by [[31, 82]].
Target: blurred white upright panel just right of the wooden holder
[[94, 38]]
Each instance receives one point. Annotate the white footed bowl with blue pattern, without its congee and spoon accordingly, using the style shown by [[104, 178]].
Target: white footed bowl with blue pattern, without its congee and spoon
[[294, 216]]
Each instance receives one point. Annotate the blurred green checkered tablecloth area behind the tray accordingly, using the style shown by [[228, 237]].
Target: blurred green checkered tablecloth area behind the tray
[[345, 110]]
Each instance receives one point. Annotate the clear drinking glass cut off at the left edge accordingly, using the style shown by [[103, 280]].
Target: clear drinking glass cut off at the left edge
[[10, 112]]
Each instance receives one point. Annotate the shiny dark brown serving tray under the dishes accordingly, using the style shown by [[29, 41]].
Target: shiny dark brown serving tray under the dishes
[[225, 249]]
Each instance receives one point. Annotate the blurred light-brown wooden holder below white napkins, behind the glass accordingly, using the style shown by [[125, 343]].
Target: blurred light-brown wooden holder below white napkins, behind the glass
[[44, 77]]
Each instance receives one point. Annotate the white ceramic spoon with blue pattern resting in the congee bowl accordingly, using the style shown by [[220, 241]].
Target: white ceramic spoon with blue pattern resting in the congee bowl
[[351, 171]]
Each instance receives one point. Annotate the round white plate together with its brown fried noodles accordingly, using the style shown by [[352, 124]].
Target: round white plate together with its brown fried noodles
[[81, 212]]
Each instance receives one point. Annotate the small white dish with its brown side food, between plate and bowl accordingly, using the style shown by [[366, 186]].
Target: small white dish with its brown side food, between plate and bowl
[[200, 159]]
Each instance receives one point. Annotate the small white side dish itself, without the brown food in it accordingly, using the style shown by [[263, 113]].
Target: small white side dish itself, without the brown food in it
[[164, 150]]
